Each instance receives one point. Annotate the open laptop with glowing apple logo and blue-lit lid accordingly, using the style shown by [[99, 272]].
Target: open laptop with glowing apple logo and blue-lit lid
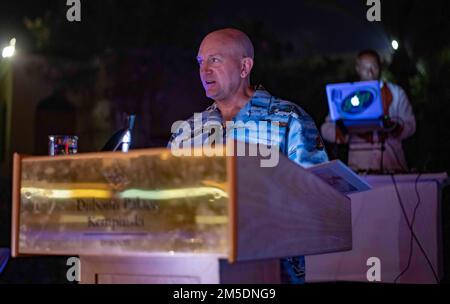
[[357, 104]]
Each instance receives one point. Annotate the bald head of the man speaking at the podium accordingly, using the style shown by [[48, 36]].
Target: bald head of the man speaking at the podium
[[225, 58]]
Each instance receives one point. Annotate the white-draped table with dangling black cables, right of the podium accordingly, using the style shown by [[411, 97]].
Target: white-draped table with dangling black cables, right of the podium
[[380, 230]]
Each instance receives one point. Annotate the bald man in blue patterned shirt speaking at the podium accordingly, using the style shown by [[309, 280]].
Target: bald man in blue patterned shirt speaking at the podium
[[225, 59]]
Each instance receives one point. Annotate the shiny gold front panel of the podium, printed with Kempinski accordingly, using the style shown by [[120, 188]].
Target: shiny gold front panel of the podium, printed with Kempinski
[[137, 203]]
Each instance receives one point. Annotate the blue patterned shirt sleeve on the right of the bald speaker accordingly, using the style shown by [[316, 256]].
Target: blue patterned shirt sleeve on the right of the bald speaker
[[304, 143]]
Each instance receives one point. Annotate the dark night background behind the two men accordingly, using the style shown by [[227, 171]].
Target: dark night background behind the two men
[[139, 56]]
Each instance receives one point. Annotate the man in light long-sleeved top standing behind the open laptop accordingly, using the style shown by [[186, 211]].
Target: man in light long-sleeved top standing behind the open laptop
[[376, 150]]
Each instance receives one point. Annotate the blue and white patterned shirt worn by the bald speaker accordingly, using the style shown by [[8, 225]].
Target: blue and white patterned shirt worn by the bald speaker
[[298, 138]]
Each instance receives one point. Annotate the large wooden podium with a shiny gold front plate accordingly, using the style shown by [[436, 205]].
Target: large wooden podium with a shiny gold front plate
[[148, 216]]
